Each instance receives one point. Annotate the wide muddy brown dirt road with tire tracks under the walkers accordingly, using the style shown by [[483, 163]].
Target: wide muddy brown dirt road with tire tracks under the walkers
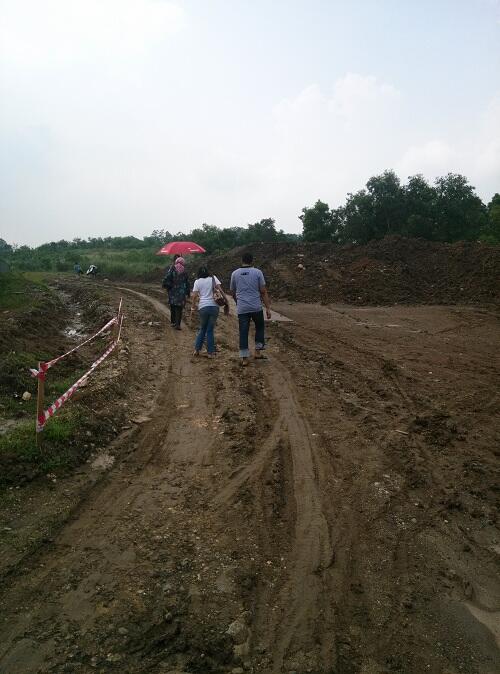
[[330, 510]]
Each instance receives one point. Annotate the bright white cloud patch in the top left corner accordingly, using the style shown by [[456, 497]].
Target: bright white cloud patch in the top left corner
[[61, 32]]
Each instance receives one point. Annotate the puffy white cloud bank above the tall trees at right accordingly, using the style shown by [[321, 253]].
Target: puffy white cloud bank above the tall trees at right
[[325, 146]]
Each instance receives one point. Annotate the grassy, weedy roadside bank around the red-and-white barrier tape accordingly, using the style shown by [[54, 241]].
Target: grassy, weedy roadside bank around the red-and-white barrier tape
[[26, 337]]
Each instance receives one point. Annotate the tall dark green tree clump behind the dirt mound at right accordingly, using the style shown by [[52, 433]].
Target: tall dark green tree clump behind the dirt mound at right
[[449, 210]]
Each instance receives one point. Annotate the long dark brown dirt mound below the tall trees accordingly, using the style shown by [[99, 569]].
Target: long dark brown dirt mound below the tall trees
[[392, 270]]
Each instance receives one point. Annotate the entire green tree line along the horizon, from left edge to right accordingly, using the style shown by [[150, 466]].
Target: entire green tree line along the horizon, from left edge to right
[[448, 210]]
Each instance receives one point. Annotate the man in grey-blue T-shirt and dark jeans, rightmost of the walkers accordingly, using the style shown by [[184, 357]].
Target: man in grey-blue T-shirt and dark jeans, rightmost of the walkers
[[248, 287]]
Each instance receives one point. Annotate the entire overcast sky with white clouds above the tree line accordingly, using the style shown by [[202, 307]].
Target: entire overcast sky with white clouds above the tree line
[[122, 116]]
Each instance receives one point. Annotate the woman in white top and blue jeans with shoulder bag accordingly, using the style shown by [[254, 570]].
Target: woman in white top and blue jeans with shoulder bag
[[207, 292]]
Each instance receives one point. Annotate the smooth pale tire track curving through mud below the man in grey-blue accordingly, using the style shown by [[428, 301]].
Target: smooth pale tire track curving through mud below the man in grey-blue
[[285, 622]]
